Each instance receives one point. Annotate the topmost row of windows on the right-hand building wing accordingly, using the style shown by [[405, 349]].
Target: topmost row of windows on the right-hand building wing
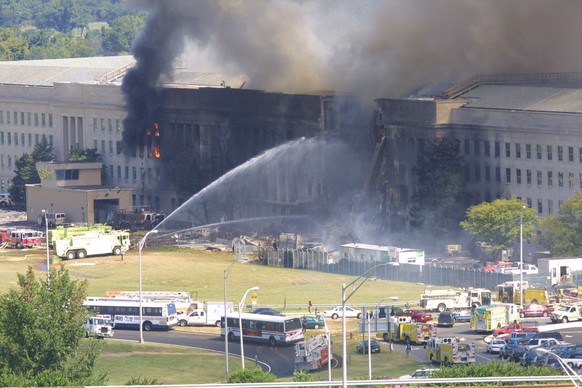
[[523, 151]]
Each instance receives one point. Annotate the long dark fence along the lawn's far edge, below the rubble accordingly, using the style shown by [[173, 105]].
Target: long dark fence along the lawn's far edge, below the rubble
[[434, 274]]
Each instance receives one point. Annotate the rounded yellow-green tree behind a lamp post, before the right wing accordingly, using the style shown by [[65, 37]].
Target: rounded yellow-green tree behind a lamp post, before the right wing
[[497, 223]]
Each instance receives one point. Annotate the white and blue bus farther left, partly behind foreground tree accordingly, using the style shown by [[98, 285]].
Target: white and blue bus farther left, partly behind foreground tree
[[125, 313]]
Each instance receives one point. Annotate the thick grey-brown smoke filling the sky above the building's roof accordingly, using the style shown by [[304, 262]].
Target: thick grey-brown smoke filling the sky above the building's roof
[[378, 48]]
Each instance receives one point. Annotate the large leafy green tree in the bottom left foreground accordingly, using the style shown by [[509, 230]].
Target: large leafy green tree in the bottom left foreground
[[40, 332]]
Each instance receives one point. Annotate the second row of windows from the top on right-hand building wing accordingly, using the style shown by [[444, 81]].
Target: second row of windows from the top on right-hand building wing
[[561, 179]]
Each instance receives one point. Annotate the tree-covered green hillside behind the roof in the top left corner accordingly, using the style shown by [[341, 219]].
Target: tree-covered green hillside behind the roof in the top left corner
[[49, 29]]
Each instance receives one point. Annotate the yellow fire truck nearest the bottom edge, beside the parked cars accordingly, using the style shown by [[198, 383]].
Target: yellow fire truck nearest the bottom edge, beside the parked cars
[[449, 350]]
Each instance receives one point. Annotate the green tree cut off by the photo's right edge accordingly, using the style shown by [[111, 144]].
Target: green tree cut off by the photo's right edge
[[562, 234]]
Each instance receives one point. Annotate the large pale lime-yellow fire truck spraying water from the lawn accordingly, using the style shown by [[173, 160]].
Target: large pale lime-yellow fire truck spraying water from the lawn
[[92, 243]]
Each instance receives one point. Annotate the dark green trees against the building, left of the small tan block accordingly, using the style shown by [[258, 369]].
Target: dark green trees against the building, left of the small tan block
[[26, 173]]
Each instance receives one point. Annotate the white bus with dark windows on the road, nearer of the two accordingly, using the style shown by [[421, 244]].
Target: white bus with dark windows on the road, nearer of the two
[[260, 327]]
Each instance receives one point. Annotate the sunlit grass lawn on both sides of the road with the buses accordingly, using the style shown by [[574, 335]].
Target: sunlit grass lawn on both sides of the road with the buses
[[202, 274]]
